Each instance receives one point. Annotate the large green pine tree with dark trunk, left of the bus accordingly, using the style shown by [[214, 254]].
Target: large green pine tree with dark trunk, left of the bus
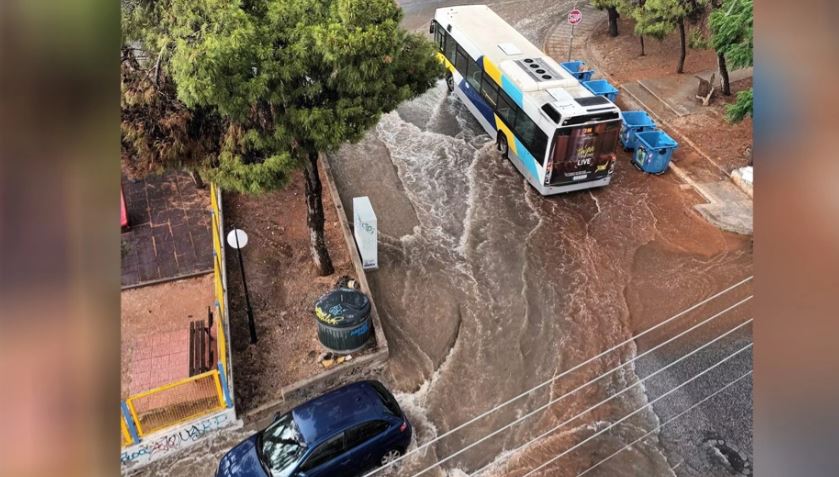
[[289, 79]]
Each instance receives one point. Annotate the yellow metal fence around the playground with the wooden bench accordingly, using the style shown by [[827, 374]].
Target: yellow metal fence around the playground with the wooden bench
[[192, 397]]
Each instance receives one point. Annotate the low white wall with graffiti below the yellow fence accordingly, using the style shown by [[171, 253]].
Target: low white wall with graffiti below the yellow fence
[[175, 439]]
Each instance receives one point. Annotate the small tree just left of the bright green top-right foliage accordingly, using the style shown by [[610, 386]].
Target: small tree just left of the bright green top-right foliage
[[659, 18]]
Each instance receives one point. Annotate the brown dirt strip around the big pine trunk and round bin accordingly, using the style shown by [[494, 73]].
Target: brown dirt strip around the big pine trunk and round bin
[[283, 288]]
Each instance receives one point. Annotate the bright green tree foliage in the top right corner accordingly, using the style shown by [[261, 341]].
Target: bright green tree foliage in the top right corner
[[731, 27]]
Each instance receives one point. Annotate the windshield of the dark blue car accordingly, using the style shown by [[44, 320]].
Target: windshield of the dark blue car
[[281, 446]]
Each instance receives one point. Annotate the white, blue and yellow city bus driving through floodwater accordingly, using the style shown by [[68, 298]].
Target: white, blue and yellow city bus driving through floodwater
[[559, 135]]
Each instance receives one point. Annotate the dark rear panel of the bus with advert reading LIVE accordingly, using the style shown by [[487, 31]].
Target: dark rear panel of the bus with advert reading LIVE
[[583, 153]]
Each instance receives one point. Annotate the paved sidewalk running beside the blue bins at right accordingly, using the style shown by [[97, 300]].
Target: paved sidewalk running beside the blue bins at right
[[668, 100]]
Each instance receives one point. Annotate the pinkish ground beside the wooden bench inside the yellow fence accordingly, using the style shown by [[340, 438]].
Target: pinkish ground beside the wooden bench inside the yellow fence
[[155, 331]]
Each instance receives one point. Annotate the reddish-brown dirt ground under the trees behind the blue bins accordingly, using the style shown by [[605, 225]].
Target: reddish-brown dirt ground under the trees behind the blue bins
[[620, 56]]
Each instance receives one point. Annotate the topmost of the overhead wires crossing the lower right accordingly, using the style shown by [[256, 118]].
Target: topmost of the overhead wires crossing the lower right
[[553, 379]]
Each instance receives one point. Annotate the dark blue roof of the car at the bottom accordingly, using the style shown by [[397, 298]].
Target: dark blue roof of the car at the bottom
[[338, 410]]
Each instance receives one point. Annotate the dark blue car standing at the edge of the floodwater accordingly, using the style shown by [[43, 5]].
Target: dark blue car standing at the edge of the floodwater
[[343, 433]]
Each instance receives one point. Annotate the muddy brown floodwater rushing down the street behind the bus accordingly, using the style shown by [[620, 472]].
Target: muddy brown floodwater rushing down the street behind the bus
[[487, 289]]
